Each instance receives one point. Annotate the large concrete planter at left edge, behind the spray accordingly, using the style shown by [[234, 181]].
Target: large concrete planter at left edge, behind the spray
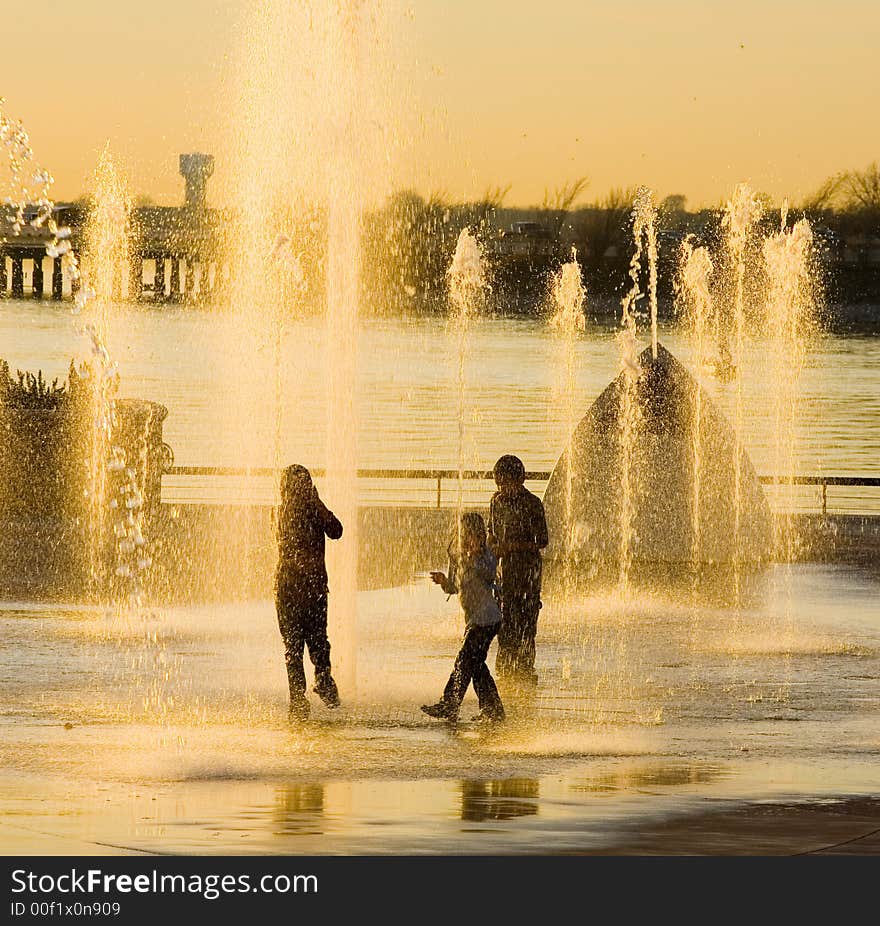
[[53, 541]]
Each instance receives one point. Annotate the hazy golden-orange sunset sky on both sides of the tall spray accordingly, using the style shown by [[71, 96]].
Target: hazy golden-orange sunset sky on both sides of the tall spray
[[686, 96]]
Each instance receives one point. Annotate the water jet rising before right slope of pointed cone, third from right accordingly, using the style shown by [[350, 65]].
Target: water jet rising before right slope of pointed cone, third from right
[[695, 270]]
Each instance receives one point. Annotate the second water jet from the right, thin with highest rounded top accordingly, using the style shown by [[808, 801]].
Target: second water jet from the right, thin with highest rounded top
[[741, 214]]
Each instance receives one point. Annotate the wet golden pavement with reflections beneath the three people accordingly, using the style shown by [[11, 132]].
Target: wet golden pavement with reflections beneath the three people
[[167, 732]]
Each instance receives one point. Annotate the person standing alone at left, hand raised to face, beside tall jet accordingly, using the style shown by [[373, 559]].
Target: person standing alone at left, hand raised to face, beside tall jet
[[301, 587]]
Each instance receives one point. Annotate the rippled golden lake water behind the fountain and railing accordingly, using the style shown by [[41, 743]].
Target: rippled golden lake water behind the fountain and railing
[[407, 403]]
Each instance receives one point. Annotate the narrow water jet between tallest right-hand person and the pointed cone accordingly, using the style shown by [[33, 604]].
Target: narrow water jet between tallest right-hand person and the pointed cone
[[568, 297]]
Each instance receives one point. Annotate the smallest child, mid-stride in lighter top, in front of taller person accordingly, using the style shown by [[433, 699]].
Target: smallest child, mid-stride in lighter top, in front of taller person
[[472, 576]]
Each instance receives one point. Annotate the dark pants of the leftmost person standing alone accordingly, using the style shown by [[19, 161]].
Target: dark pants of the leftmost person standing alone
[[302, 619]]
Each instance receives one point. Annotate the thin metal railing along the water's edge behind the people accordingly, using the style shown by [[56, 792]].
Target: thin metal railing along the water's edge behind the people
[[453, 475]]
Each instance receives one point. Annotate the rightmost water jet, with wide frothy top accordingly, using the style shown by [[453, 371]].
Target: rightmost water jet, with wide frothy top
[[791, 295]]
